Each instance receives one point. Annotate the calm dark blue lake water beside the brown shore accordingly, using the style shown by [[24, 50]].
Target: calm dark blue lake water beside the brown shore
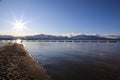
[[77, 60]]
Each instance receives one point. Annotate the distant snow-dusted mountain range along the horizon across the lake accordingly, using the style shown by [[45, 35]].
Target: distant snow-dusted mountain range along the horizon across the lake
[[52, 37]]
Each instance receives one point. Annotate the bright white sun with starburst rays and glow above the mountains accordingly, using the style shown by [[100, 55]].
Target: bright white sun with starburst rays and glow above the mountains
[[19, 27]]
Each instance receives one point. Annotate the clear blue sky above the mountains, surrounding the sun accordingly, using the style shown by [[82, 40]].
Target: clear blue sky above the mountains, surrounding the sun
[[61, 16]]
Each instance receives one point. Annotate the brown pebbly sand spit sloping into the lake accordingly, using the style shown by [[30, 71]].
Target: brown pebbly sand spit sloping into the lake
[[16, 64]]
